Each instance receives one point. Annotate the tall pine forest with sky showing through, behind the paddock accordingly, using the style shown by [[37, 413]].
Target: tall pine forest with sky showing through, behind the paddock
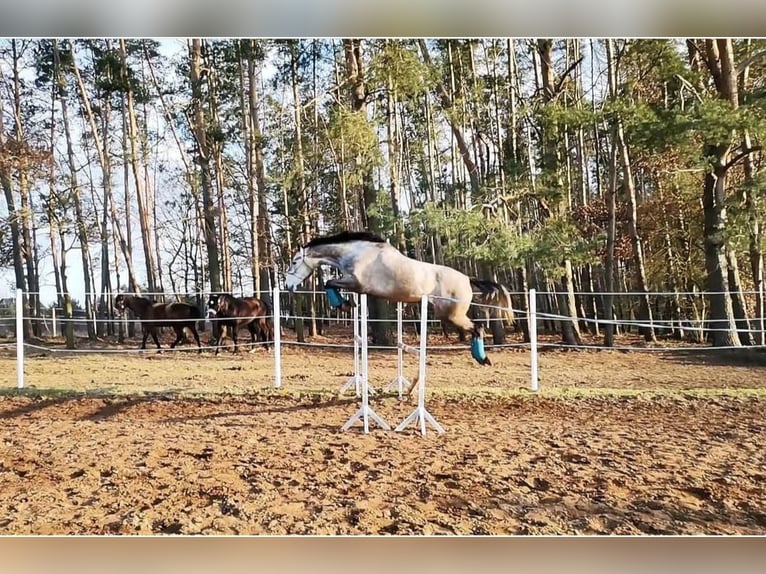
[[583, 168]]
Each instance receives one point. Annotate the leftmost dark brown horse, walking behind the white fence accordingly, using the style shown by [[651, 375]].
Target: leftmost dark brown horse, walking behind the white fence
[[154, 315]]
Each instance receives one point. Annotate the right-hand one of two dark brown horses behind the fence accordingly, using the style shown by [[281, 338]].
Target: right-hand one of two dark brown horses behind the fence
[[235, 313]]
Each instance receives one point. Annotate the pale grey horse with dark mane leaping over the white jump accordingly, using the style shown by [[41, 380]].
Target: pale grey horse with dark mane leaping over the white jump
[[368, 264]]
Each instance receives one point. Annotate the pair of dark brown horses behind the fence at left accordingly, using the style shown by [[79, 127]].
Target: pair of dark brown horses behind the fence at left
[[231, 313]]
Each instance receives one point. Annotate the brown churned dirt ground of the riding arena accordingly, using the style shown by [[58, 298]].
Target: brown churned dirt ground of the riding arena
[[614, 443]]
